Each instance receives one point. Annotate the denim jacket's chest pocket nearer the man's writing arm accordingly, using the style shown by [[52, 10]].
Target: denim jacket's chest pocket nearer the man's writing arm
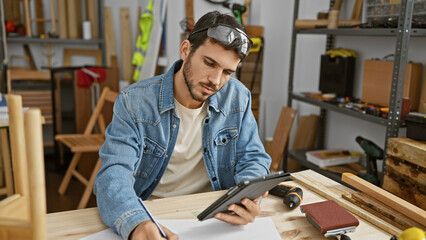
[[152, 153]]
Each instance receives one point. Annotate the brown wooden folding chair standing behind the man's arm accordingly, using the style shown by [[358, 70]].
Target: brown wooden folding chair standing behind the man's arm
[[86, 142]]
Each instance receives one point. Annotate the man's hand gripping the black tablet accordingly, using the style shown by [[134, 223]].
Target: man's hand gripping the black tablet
[[242, 215]]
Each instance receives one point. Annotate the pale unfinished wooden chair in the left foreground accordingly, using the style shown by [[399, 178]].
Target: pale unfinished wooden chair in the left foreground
[[23, 215]]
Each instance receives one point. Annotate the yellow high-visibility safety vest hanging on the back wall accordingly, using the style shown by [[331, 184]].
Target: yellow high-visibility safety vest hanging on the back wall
[[145, 23]]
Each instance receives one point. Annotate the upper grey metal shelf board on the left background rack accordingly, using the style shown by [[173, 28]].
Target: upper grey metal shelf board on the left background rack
[[27, 40]]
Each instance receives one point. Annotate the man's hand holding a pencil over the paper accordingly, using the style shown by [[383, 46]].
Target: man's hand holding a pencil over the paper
[[147, 230]]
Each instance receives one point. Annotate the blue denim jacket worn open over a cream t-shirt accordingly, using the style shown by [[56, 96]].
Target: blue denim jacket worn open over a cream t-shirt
[[141, 137]]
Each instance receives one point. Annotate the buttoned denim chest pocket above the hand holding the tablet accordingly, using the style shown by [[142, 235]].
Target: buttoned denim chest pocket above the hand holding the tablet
[[225, 142]]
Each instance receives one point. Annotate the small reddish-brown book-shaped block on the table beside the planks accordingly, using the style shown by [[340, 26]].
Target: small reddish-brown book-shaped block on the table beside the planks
[[330, 218]]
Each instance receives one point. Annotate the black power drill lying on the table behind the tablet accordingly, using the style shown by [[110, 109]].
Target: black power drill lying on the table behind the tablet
[[292, 196]]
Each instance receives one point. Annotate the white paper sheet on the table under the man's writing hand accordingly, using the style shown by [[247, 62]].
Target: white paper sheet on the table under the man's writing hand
[[212, 229]]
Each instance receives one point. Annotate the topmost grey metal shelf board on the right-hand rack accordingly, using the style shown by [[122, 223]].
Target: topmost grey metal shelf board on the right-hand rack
[[415, 32]]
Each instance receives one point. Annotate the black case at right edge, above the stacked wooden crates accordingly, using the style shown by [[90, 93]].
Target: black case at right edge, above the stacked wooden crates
[[416, 126]]
